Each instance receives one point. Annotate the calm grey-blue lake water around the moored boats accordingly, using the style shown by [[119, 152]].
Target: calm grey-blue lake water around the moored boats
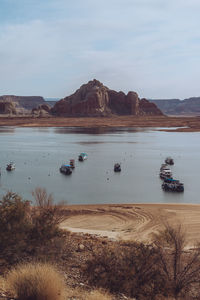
[[39, 152]]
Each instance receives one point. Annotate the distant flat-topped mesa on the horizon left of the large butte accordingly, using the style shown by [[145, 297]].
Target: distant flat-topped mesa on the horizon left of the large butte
[[23, 102]]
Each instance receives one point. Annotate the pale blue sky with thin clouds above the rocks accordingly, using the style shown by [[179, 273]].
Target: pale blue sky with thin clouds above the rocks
[[50, 48]]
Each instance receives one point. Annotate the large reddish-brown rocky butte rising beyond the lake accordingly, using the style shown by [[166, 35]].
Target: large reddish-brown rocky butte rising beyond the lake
[[94, 99]]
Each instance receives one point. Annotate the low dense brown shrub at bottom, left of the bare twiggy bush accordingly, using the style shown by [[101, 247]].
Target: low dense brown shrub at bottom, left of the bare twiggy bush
[[128, 268]]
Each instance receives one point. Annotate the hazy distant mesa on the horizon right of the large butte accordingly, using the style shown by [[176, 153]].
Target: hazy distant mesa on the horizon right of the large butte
[[190, 106]]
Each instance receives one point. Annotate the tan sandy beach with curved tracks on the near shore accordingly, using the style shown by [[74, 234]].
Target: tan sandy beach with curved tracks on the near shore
[[134, 221]]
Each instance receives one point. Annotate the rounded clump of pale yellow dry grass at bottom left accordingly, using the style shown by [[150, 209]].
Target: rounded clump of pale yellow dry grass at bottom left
[[36, 282]]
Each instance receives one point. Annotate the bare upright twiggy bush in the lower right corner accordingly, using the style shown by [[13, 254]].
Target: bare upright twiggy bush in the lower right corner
[[179, 268]]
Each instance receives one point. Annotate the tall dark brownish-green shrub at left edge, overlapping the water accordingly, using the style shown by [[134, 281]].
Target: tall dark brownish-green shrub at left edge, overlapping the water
[[30, 230]]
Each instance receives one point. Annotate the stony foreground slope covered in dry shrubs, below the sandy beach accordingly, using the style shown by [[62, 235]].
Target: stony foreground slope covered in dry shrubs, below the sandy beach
[[164, 269]]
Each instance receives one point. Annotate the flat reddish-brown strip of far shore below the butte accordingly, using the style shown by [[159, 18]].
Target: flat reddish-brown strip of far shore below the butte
[[187, 123]]
